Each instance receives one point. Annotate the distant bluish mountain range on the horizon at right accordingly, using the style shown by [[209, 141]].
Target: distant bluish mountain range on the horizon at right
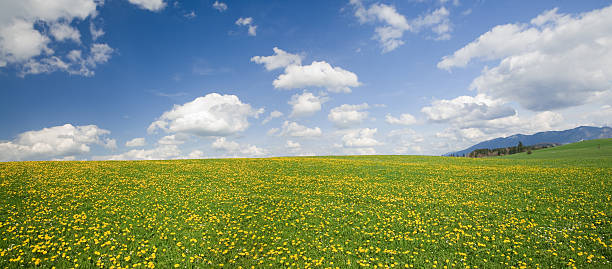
[[559, 137]]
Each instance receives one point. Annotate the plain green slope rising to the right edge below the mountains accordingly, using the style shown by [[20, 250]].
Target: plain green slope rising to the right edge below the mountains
[[598, 149]]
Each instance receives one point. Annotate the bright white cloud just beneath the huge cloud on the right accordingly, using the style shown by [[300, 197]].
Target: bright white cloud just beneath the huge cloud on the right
[[467, 109]]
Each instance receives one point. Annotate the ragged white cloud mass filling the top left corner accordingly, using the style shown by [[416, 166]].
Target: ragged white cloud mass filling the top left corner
[[30, 30]]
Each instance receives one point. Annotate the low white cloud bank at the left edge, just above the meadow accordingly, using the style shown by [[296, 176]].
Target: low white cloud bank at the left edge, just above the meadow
[[54, 142]]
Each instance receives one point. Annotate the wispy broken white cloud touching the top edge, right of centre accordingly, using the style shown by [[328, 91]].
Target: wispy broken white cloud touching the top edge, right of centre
[[394, 24]]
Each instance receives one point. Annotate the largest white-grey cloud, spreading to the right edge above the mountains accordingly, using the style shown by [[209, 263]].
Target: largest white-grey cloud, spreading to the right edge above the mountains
[[553, 62]]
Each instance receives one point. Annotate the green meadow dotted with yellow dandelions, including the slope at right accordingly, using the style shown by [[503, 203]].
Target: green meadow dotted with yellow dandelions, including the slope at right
[[336, 212]]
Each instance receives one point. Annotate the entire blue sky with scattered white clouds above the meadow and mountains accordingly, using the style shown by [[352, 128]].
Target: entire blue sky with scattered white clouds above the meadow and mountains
[[167, 79]]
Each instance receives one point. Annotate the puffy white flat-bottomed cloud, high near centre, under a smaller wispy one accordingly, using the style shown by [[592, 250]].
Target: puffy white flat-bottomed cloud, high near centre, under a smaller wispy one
[[317, 74]]
